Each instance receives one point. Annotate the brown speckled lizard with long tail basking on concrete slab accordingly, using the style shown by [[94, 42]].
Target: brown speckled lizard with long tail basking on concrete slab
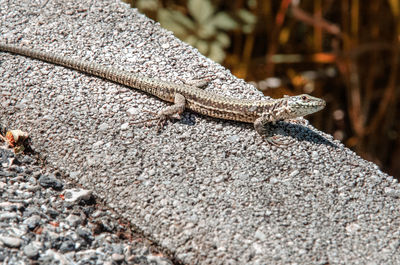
[[261, 113]]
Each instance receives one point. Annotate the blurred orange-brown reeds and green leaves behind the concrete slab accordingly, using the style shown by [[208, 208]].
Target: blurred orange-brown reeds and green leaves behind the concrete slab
[[345, 51]]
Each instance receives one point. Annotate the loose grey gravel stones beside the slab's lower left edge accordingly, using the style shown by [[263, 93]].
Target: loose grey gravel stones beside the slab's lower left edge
[[39, 225]]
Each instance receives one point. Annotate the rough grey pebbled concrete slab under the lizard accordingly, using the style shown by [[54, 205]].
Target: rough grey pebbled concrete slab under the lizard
[[209, 191]]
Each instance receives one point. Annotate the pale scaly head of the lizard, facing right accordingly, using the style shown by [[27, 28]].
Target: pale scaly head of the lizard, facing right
[[302, 105]]
